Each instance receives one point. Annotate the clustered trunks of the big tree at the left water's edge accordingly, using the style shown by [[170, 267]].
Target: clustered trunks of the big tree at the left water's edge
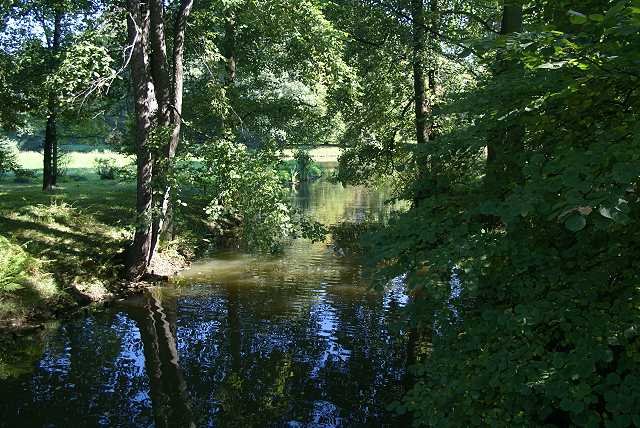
[[158, 111]]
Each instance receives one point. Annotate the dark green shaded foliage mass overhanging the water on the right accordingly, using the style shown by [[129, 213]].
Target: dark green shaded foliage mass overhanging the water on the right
[[546, 328]]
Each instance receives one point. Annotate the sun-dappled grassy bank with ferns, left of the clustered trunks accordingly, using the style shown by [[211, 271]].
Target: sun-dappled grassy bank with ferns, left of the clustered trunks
[[64, 247]]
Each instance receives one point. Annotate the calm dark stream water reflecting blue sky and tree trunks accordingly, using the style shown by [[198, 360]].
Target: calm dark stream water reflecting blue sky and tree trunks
[[294, 340]]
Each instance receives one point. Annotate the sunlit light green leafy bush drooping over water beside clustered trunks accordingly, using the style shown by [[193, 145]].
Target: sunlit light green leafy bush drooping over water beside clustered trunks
[[240, 193]]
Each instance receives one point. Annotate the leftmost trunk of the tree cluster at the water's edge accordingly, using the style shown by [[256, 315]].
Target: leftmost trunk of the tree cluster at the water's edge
[[139, 254]]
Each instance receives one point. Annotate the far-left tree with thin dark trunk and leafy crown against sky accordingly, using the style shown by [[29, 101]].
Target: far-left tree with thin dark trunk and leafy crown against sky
[[38, 34]]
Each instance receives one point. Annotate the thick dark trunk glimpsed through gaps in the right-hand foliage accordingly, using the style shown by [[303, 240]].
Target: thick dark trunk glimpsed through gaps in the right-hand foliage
[[506, 142]]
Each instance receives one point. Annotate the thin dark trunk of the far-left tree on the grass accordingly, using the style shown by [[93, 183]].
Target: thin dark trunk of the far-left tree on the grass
[[50, 167]]
